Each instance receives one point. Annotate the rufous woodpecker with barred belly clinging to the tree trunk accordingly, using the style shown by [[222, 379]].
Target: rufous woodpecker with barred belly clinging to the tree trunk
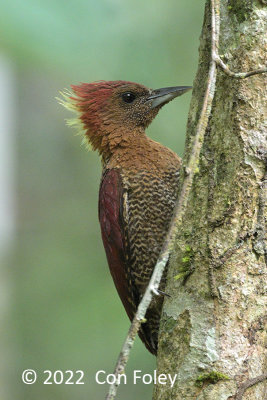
[[138, 187]]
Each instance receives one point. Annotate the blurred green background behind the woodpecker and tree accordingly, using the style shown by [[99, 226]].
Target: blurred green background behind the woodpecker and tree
[[58, 306]]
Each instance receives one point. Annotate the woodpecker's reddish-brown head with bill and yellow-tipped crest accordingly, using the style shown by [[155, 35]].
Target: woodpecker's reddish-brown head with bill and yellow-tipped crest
[[110, 111]]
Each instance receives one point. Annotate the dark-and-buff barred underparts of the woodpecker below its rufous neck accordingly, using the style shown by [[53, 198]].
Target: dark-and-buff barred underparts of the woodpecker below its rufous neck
[[150, 203]]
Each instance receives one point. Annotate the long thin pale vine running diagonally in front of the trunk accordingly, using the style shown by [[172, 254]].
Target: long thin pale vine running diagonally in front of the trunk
[[179, 210]]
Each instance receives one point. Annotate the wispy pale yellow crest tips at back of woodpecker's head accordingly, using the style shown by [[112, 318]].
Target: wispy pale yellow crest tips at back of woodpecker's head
[[68, 103]]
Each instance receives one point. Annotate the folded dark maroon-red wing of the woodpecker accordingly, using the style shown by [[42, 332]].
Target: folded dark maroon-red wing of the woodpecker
[[112, 199]]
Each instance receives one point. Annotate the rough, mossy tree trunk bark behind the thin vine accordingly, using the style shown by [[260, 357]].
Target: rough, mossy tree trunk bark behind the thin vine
[[213, 327]]
